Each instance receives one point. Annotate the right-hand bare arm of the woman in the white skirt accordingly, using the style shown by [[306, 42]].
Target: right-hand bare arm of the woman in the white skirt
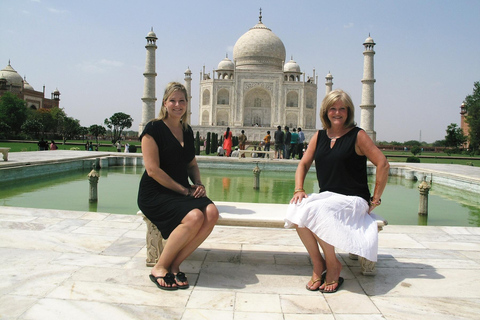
[[365, 147]]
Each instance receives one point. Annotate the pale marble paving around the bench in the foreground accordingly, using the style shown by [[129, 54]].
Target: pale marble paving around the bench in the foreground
[[84, 265]]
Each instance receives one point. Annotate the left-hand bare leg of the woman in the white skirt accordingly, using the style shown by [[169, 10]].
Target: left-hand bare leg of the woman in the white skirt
[[310, 242]]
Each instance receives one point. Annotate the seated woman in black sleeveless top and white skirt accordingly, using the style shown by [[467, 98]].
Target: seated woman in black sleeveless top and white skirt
[[340, 214]]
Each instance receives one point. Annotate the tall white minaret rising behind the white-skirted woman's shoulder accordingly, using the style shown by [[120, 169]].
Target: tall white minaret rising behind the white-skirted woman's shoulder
[[368, 105]]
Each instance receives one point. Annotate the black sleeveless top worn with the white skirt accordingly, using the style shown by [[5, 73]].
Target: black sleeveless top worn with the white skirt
[[340, 169]]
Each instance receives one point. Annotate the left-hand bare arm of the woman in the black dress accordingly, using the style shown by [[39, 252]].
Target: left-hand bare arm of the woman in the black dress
[[151, 160]]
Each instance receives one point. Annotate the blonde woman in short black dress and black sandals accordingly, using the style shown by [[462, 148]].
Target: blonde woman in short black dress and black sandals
[[182, 212]]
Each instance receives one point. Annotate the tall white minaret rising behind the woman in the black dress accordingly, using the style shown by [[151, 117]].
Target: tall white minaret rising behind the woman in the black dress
[[148, 99]]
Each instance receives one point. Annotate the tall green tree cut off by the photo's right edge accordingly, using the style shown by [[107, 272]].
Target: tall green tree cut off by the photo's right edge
[[472, 105]]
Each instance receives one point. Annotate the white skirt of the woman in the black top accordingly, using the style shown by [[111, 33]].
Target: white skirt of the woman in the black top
[[339, 220]]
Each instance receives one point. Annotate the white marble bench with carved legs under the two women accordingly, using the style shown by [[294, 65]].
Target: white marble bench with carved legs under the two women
[[244, 215]]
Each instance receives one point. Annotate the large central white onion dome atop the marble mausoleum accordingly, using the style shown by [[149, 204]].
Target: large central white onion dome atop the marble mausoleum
[[259, 49]]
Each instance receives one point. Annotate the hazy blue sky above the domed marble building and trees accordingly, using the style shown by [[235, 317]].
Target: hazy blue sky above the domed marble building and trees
[[427, 53]]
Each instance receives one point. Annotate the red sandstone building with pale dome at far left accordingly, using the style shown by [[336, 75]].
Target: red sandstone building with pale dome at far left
[[11, 81]]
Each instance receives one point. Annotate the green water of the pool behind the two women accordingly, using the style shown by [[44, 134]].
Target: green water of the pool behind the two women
[[118, 187]]
